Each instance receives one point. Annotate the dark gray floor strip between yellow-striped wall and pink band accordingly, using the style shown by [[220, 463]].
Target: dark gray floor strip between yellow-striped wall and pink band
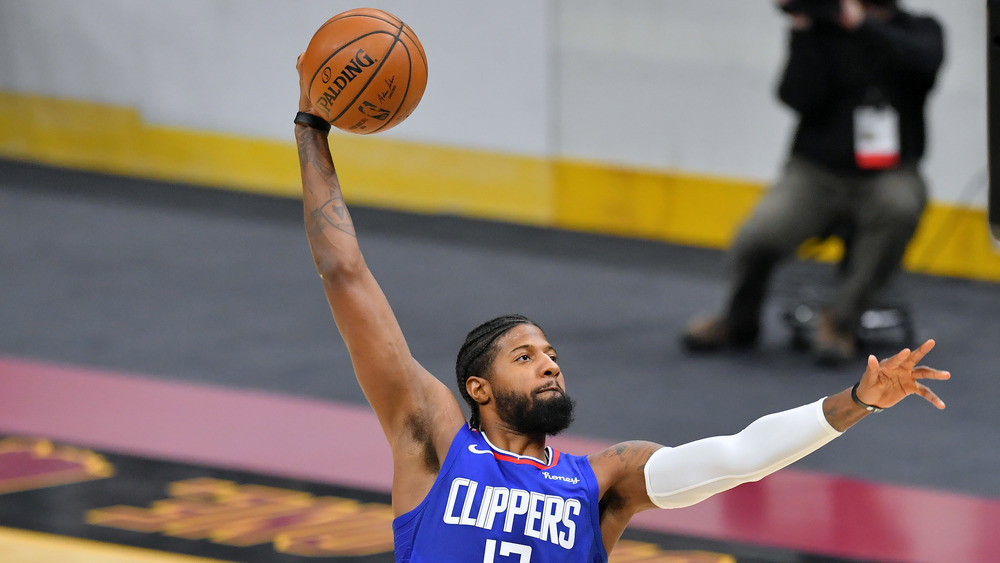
[[212, 286]]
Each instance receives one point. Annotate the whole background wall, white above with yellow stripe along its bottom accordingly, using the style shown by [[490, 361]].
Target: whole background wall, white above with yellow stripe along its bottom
[[651, 120]]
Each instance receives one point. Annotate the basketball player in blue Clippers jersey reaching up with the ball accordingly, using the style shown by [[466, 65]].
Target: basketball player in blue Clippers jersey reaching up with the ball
[[489, 489]]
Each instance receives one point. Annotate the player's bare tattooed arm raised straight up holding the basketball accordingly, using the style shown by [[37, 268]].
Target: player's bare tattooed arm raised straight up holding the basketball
[[417, 412]]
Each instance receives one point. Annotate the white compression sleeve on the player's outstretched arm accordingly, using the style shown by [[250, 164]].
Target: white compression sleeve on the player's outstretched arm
[[688, 474]]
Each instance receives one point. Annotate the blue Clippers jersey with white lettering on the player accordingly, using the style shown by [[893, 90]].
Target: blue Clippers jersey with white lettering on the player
[[497, 507]]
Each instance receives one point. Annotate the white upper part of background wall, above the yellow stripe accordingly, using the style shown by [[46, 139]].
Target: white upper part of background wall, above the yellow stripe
[[683, 85]]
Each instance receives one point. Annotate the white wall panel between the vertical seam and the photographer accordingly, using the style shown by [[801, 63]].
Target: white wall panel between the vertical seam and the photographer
[[677, 85]]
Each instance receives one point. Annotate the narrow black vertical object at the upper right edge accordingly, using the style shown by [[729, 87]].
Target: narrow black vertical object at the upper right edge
[[993, 111]]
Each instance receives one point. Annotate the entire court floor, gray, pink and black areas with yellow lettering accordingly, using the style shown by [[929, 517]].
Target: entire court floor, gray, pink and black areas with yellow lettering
[[172, 387]]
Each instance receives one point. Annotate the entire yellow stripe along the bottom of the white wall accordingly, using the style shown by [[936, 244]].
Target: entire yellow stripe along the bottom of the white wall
[[673, 207]]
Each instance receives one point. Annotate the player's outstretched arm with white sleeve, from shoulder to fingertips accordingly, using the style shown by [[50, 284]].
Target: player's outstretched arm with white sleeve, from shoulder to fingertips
[[636, 476]]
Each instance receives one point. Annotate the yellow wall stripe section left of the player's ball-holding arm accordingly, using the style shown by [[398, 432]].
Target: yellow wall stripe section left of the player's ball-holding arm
[[116, 140]]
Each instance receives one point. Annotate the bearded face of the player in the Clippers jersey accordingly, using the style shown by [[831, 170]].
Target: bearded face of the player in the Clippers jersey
[[528, 385]]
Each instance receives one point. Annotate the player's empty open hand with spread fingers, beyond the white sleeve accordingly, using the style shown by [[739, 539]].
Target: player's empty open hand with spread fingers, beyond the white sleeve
[[890, 381]]
